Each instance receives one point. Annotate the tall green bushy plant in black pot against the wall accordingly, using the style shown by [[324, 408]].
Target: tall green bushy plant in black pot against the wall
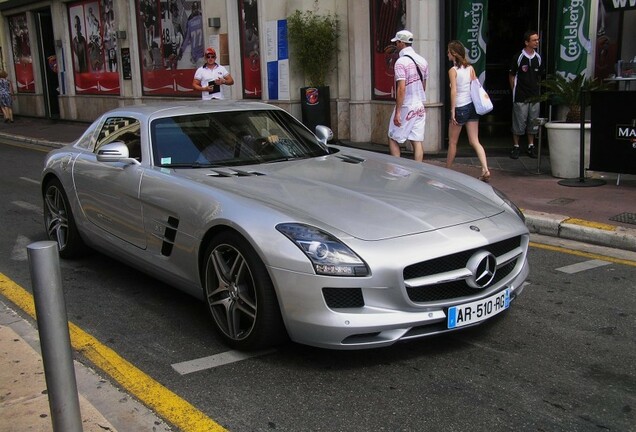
[[314, 42]]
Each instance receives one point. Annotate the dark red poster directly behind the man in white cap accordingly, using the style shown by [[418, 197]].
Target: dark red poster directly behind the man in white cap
[[387, 18]]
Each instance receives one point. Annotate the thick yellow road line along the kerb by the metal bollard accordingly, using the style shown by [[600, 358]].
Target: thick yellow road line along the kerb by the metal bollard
[[165, 403]]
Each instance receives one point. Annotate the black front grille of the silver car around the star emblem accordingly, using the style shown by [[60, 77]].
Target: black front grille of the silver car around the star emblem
[[457, 288]]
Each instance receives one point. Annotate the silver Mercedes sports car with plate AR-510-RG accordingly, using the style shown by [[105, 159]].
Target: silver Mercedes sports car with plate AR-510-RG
[[282, 234]]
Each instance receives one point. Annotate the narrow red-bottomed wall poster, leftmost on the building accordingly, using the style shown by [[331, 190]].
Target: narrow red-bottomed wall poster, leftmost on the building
[[22, 60]]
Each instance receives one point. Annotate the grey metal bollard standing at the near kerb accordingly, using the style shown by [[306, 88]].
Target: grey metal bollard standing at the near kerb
[[55, 339]]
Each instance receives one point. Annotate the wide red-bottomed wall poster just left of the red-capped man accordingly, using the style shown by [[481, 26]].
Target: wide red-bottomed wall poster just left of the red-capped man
[[171, 41]]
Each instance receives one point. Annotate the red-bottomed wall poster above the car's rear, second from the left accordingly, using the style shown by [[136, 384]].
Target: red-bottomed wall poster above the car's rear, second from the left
[[94, 47]]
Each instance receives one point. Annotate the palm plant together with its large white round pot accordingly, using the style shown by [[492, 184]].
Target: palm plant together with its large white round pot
[[564, 137]]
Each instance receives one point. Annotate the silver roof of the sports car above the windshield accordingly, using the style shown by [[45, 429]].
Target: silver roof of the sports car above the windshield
[[171, 109]]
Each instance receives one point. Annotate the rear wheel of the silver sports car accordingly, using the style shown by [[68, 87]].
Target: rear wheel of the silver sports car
[[59, 222]]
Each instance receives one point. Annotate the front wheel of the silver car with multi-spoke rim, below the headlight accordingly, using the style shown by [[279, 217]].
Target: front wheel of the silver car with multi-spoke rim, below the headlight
[[240, 295]]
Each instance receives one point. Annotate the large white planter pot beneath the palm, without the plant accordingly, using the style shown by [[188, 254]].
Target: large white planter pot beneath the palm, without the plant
[[564, 141]]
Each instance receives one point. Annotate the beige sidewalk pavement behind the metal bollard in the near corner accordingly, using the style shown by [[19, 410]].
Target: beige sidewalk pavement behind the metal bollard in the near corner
[[24, 404]]
